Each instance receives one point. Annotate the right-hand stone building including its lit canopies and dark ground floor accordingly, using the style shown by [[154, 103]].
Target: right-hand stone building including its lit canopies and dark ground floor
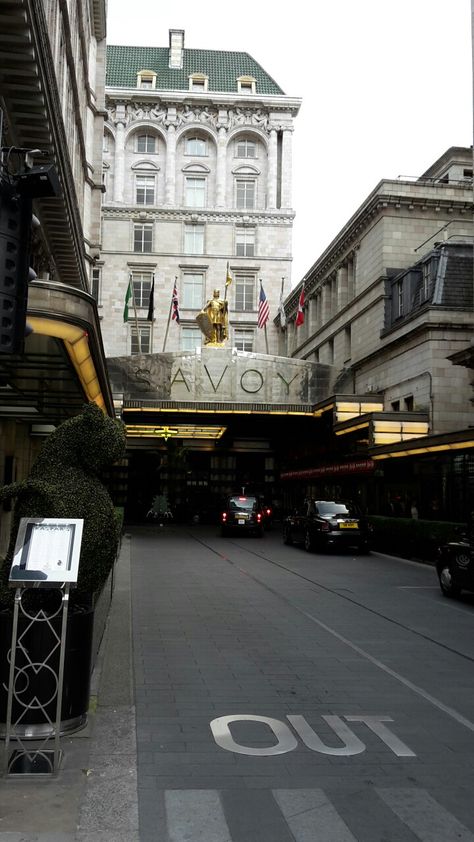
[[389, 304]]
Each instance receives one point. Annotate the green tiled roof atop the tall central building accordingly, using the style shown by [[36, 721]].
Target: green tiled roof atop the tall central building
[[223, 69]]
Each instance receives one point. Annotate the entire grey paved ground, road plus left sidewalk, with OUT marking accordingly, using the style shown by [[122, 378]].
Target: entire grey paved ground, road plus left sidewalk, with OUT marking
[[223, 631]]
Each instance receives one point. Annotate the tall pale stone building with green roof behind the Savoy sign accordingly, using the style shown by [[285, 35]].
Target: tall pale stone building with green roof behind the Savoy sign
[[197, 171]]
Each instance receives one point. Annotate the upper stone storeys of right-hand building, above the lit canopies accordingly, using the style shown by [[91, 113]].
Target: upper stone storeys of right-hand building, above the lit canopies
[[381, 307]]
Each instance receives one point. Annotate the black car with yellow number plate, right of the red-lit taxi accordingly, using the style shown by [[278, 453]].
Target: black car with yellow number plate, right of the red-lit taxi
[[327, 524]]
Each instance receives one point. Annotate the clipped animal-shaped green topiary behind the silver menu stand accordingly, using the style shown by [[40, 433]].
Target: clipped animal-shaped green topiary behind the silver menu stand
[[65, 482]]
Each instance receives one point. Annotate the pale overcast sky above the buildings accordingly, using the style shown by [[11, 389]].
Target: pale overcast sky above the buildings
[[386, 87]]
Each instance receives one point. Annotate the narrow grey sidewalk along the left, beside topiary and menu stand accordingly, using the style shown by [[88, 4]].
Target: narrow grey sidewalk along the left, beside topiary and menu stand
[[93, 798]]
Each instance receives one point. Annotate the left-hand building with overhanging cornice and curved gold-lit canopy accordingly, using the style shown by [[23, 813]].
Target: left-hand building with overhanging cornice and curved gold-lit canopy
[[52, 77]]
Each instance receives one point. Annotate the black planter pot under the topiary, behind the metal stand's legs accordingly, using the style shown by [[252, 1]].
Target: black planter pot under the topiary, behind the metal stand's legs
[[34, 697]]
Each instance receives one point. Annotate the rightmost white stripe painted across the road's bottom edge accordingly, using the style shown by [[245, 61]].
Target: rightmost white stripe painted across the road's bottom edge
[[424, 816]]
